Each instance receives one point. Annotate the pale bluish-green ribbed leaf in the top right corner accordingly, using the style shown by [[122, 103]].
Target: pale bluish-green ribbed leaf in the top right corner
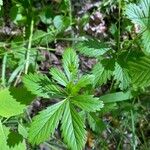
[[140, 15]]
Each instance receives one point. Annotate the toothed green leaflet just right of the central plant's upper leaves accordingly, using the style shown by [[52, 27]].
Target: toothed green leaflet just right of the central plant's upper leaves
[[101, 74]]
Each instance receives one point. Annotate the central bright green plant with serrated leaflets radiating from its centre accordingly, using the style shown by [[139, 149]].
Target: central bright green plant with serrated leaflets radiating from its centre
[[72, 92]]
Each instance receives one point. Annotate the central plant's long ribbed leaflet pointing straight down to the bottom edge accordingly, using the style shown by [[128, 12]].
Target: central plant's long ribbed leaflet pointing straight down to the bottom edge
[[73, 128]]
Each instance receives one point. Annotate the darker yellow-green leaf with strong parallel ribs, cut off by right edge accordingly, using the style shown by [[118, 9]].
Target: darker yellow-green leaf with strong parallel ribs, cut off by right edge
[[140, 72]]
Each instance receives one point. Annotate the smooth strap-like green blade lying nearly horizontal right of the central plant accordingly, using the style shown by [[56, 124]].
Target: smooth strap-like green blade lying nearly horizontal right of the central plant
[[116, 97]]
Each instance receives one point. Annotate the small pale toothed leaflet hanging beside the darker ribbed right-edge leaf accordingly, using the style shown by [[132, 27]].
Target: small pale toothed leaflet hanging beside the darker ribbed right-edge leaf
[[121, 76]]
